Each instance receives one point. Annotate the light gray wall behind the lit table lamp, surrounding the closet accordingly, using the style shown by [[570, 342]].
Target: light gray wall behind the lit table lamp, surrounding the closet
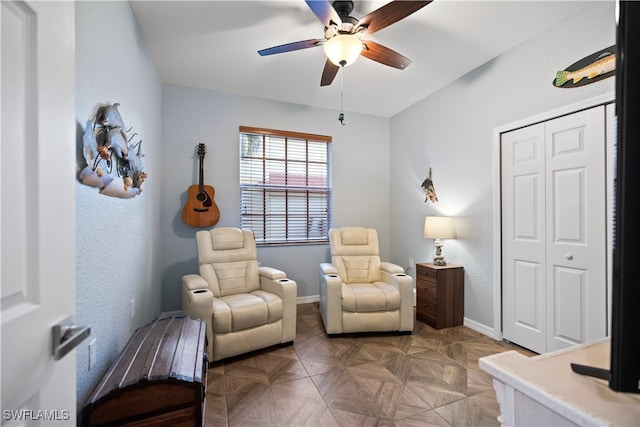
[[452, 132]]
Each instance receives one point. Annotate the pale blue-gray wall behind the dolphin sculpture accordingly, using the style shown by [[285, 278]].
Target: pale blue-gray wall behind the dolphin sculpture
[[118, 247]]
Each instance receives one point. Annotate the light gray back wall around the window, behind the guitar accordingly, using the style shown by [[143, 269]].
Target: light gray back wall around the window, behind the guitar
[[191, 116]]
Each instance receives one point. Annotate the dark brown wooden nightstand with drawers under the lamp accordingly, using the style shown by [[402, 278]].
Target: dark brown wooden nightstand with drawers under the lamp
[[440, 294]]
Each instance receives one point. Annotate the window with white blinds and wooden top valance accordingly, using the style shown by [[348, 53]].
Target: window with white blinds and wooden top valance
[[285, 185]]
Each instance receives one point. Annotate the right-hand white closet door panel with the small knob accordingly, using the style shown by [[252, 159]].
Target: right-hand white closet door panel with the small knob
[[576, 229]]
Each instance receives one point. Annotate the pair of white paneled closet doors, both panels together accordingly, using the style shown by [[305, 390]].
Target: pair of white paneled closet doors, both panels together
[[554, 232]]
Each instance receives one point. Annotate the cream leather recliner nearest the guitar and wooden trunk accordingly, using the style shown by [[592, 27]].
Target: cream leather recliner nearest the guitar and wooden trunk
[[246, 307]]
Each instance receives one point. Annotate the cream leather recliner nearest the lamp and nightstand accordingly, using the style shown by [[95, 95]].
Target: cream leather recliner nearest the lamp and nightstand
[[358, 293]]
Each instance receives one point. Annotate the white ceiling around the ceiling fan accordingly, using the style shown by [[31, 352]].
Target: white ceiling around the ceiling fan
[[213, 45]]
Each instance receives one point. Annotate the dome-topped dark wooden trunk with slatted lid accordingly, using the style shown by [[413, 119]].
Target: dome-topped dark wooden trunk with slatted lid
[[158, 379]]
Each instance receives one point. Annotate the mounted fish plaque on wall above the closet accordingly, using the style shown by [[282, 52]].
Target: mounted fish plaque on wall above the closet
[[589, 69]]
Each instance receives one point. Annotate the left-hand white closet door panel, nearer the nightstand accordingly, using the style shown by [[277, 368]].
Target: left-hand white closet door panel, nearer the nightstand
[[523, 237]]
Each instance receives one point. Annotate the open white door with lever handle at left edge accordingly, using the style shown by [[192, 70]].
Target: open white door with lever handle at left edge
[[37, 208]]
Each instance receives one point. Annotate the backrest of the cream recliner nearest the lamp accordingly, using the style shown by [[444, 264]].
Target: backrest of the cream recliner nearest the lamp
[[355, 254]]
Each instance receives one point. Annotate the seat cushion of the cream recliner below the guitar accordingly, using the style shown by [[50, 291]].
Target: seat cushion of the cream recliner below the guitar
[[236, 312]]
